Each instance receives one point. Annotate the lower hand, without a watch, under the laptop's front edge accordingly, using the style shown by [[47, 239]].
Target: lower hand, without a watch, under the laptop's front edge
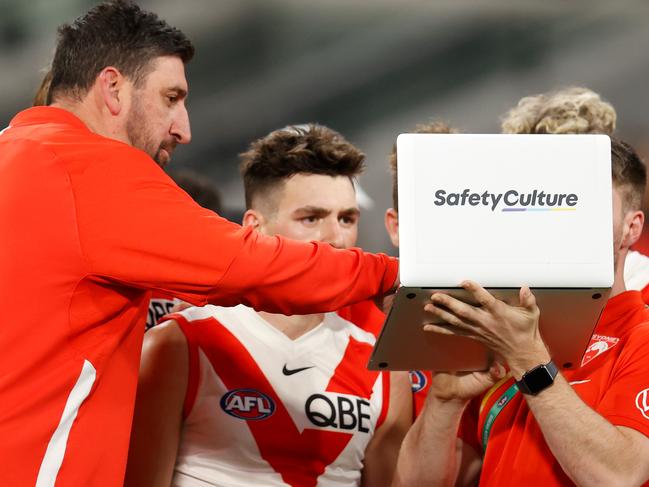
[[463, 386]]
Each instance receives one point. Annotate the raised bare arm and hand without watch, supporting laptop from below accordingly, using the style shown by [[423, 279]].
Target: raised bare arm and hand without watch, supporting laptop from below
[[432, 454]]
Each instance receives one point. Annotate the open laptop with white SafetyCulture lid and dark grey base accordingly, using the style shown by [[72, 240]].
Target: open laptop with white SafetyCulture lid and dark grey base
[[504, 211]]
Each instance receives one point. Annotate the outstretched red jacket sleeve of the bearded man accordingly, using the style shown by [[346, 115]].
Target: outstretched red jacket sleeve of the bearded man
[[138, 228]]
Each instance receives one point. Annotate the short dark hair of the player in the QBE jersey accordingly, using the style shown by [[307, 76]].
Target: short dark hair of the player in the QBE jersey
[[304, 149]]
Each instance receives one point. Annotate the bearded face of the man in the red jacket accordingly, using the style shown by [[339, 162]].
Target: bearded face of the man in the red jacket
[[158, 118]]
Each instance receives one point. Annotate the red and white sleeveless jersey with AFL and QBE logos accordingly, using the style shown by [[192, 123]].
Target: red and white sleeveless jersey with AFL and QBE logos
[[263, 409]]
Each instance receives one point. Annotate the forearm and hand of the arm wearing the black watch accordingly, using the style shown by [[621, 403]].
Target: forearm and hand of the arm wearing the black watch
[[590, 449]]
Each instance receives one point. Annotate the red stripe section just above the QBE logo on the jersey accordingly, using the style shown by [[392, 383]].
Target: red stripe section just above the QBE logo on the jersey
[[351, 376]]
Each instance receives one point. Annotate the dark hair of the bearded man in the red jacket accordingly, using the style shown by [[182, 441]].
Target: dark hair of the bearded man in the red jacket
[[116, 33]]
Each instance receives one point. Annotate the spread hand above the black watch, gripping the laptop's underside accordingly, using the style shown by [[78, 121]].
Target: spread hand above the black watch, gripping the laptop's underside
[[510, 331]]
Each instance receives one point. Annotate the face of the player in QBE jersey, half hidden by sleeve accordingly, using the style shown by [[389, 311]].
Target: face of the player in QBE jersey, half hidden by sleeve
[[316, 207]]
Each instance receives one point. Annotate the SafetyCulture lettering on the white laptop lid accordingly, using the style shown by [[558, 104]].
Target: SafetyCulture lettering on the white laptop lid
[[511, 200]]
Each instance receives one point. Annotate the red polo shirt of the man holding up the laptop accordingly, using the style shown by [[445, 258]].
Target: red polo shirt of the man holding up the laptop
[[613, 380]]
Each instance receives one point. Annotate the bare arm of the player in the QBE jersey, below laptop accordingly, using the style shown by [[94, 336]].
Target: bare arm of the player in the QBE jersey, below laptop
[[382, 451]]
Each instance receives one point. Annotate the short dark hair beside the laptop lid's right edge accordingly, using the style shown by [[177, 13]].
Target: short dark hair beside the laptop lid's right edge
[[629, 174]]
